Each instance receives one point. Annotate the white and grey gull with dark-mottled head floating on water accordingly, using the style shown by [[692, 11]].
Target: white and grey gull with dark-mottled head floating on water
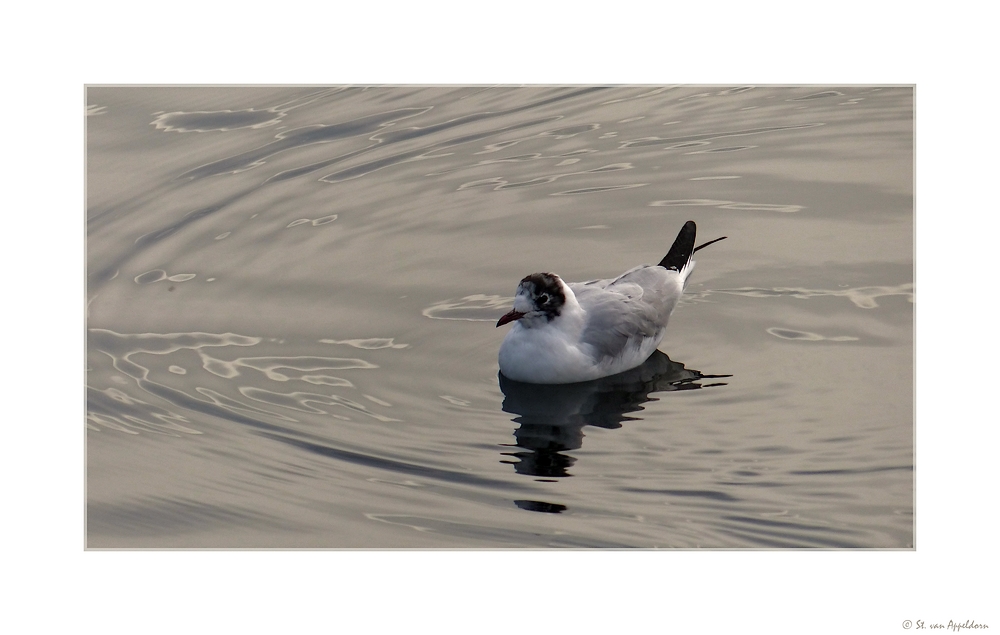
[[581, 331]]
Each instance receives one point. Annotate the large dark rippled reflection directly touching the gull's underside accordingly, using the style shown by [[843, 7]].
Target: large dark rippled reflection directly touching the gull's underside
[[552, 417]]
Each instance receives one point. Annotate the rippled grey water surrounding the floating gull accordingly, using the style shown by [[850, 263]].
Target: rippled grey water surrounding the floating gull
[[292, 293]]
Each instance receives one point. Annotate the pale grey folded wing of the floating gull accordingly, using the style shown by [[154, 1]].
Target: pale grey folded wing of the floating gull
[[624, 312]]
